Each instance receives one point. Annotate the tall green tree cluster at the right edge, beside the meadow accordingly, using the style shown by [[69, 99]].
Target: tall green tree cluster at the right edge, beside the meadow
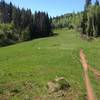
[[91, 19]]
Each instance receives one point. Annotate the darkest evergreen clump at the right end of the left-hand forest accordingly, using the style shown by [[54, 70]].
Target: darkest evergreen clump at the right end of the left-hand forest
[[42, 24]]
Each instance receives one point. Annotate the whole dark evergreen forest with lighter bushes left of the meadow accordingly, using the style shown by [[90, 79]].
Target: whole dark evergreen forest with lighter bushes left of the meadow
[[17, 25]]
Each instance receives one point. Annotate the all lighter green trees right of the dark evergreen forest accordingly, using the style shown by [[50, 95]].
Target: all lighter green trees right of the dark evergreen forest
[[86, 22]]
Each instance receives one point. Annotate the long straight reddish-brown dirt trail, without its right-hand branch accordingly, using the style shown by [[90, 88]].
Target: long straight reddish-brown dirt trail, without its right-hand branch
[[90, 93]]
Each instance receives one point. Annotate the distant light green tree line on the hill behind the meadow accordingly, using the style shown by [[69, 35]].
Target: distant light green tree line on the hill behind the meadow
[[70, 21]]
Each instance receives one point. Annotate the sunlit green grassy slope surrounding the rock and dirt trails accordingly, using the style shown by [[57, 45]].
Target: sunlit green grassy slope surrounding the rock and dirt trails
[[38, 61]]
